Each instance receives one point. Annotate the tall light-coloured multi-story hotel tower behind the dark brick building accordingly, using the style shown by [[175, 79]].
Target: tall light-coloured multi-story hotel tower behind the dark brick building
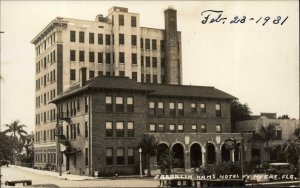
[[115, 45]]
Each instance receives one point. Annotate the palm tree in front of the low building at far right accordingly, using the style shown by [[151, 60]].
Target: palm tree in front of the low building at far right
[[266, 134]]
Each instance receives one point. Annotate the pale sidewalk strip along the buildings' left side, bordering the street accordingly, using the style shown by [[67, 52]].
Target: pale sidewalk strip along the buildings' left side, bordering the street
[[56, 174]]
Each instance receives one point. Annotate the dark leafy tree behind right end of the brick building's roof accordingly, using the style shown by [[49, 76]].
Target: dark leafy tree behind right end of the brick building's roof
[[239, 111]]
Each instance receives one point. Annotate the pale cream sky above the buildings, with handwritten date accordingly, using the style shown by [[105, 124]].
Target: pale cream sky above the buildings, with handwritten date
[[257, 64]]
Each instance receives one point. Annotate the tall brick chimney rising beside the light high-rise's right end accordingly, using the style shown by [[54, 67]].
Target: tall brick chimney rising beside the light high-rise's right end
[[172, 47]]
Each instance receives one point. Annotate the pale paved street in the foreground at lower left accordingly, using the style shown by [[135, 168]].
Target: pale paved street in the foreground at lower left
[[47, 179]]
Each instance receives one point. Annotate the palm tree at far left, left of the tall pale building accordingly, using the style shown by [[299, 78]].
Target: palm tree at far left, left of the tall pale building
[[17, 134]]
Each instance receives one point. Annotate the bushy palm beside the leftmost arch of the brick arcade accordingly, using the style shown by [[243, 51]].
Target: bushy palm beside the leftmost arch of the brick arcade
[[149, 148]]
